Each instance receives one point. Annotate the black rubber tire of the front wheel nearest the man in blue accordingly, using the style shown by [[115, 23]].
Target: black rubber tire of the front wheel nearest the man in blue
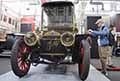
[[85, 61]]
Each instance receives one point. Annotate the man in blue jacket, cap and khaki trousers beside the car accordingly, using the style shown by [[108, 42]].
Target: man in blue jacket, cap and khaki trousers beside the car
[[103, 43]]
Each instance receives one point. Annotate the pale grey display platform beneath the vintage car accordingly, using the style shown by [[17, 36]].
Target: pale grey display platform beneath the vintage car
[[39, 73]]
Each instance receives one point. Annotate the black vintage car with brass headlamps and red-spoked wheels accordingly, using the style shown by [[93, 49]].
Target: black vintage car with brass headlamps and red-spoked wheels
[[56, 42]]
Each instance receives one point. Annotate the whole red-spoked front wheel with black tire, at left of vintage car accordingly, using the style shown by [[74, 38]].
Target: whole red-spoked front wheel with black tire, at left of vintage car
[[19, 59]]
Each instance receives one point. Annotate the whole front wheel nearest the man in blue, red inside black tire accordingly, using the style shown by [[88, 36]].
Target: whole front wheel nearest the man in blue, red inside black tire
[[84, 66]]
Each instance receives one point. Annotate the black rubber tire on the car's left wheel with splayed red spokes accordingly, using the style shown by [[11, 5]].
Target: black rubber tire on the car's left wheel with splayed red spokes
[[14, 63]]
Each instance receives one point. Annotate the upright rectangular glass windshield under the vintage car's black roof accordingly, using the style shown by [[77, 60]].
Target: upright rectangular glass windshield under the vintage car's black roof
[[58, 16]]
